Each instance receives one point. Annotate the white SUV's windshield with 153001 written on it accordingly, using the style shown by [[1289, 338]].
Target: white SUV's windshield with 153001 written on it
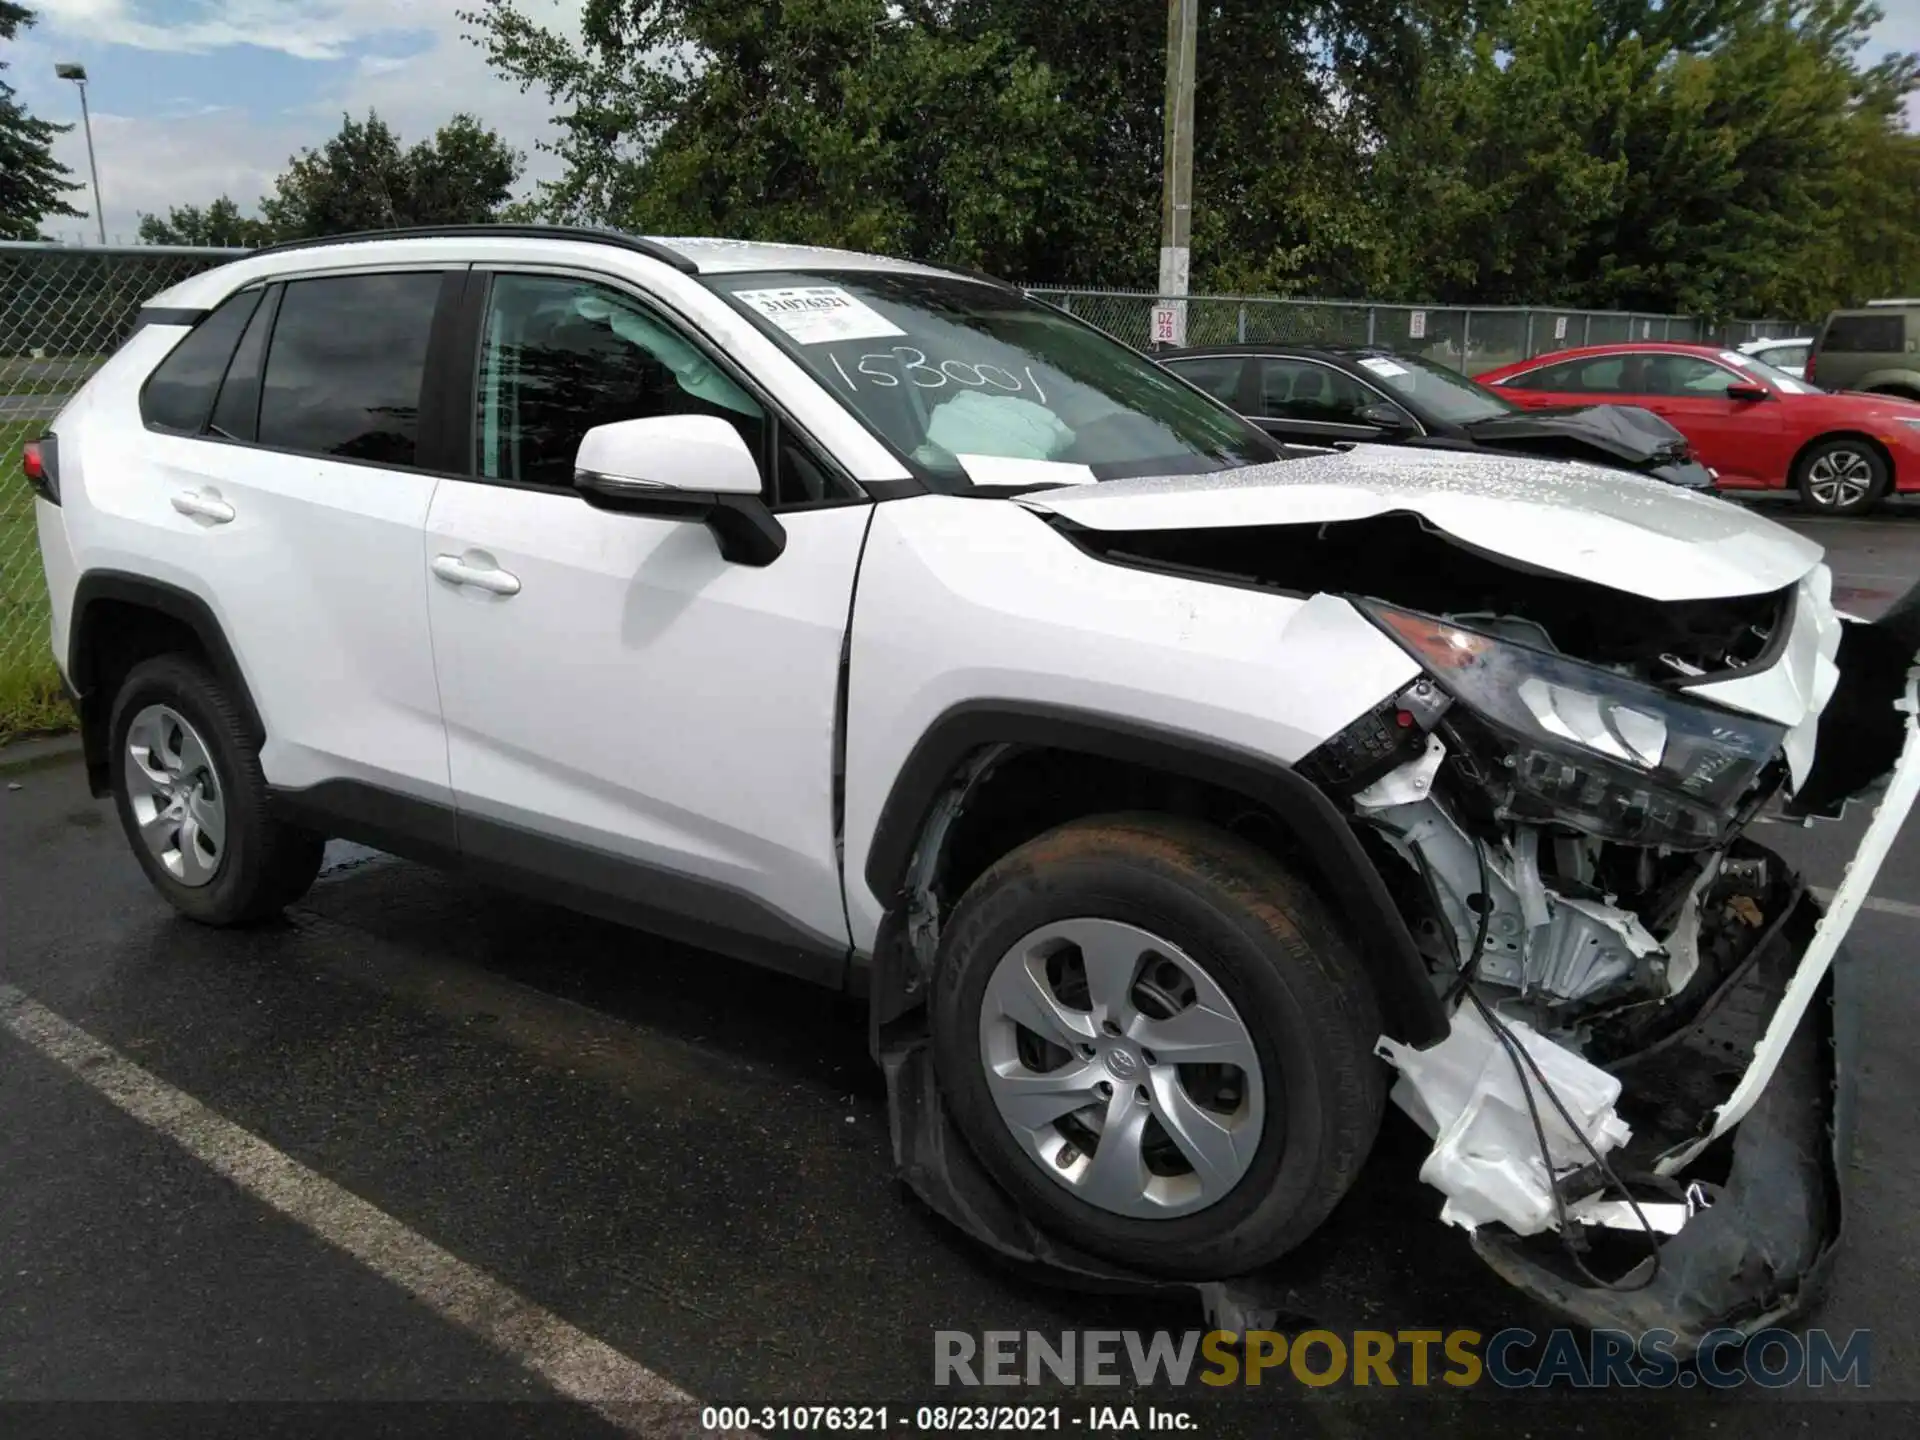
[[980, 387]]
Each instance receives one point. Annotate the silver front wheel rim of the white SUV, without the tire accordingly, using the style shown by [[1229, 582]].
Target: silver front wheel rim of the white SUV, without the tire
[[1122, 1068]]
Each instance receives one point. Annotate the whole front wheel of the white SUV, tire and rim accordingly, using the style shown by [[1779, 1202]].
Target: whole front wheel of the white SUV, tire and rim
[[1159, 1044]]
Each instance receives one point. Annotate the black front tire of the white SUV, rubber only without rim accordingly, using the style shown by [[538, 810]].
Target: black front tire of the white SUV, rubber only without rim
[[1270, 944]]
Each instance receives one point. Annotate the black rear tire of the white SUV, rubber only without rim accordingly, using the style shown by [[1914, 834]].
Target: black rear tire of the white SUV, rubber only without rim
[[266, 865]]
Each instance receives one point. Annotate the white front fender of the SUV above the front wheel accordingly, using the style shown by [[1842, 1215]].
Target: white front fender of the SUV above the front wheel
[[967, 602]]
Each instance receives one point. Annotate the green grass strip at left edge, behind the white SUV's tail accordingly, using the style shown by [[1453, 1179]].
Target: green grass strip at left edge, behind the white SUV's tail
[[32, 700]]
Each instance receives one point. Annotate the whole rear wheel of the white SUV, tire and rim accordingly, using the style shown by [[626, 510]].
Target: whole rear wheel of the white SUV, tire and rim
[[193, 800]]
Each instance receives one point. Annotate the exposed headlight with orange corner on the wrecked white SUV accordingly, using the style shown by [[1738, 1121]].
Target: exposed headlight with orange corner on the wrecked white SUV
[[1587, 748]]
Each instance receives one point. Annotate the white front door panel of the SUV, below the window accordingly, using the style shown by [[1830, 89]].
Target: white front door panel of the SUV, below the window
[[644, 698]]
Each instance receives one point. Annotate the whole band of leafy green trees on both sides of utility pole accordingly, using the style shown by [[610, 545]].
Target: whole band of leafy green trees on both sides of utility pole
[[1717, 156]]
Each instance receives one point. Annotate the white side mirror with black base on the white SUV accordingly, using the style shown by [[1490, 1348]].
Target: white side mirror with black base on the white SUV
[[683, 468]]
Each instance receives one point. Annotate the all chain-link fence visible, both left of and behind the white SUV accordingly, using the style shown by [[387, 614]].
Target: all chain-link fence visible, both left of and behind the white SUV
[[64, 310]]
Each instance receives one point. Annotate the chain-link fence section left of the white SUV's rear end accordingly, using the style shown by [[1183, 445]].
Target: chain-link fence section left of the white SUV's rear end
[[62, 314]]
